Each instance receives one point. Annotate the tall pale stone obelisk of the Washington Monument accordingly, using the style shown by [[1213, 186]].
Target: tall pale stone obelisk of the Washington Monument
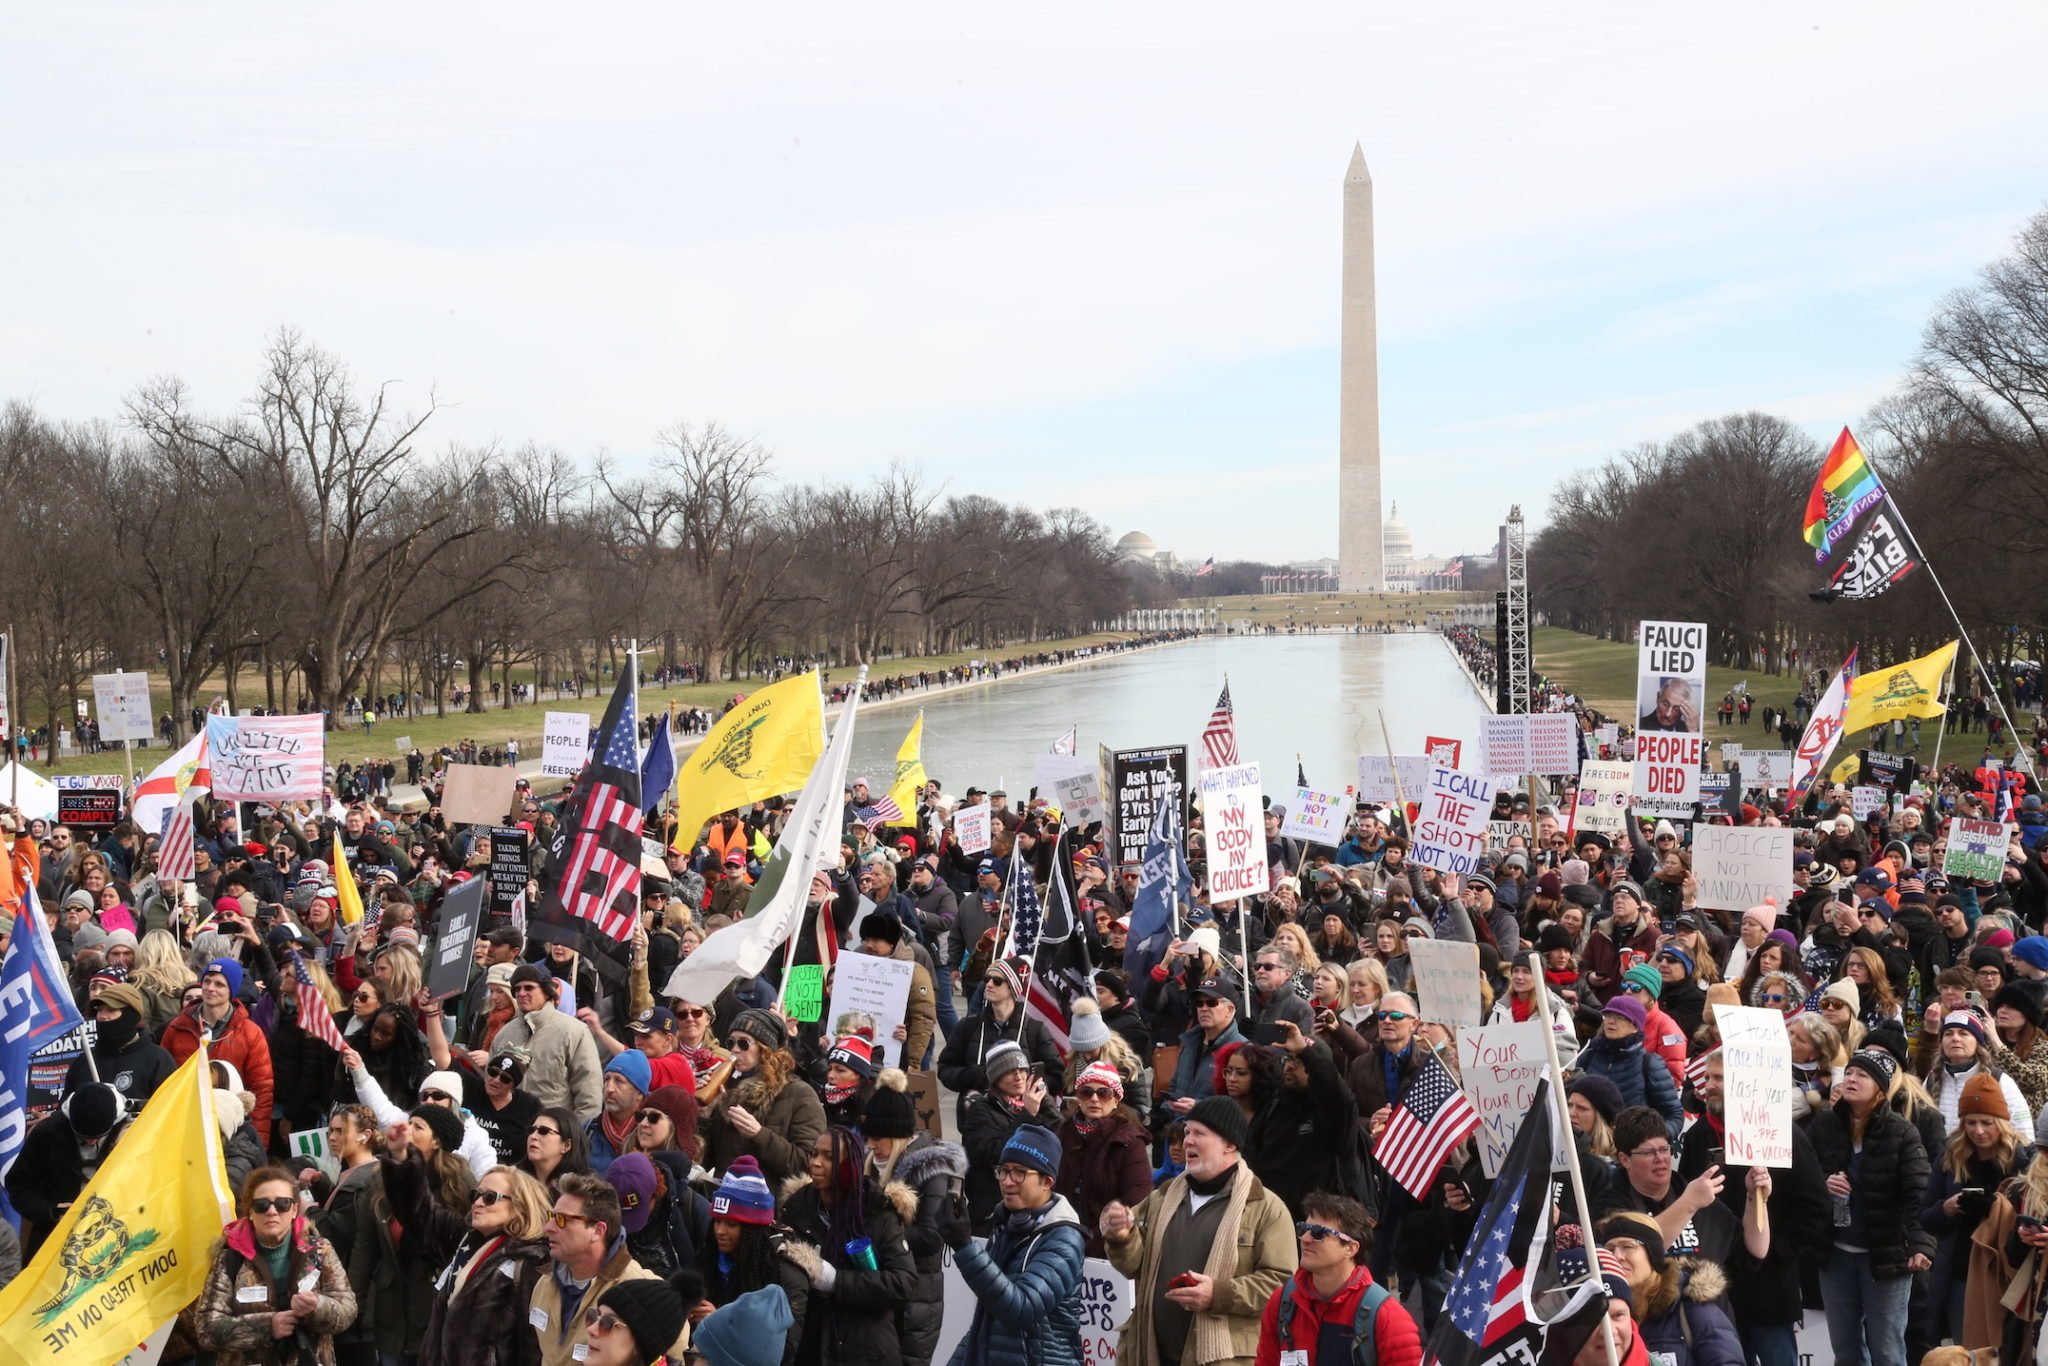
[[1361, 560]]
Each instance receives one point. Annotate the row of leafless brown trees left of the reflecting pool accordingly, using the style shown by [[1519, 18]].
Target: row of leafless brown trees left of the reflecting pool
[[316, 540]]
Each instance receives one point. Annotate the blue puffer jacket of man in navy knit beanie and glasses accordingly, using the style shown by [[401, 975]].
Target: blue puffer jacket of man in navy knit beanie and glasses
[[1025, 1281]]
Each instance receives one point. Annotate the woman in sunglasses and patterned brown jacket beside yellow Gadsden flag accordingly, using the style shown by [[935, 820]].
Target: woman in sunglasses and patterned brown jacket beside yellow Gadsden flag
[[275, 1287]]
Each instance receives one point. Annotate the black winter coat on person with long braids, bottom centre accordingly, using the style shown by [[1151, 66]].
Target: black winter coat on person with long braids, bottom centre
[[857, 1320]]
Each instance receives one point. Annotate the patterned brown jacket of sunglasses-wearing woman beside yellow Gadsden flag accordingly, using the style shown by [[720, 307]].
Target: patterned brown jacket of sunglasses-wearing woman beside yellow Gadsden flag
[[237, 1326]]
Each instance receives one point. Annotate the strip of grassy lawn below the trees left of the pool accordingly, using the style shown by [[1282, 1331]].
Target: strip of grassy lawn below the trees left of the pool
[[497, 726]]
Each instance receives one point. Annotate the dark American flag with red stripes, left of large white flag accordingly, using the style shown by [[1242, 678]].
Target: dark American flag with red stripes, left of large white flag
[[591, 896]]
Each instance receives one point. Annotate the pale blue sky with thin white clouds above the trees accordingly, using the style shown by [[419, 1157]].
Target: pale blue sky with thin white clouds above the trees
[[1052, 253]]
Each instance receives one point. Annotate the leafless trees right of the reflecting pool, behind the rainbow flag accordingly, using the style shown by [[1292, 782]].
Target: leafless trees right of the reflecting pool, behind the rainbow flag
[[1707, 525]]
